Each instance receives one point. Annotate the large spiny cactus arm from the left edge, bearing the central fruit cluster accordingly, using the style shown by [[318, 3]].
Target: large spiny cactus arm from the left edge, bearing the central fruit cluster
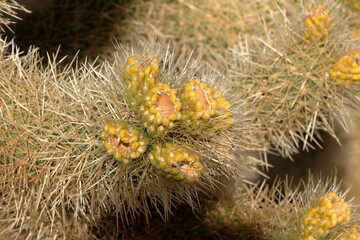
[[56, 164]]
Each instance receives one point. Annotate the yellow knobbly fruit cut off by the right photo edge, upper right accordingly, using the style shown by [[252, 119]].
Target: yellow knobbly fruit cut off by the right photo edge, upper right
[[347, 69]]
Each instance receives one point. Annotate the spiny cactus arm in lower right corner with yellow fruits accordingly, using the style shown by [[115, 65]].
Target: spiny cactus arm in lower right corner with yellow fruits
[[286, 211]]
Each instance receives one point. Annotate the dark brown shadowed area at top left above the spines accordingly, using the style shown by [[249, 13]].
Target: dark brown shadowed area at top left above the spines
[[82, 28]]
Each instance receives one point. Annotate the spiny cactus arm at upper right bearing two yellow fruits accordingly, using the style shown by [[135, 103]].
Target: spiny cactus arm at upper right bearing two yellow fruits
[[289, 81]]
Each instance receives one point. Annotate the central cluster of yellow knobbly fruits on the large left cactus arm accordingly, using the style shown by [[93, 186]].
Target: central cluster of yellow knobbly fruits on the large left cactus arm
[[197, 108]]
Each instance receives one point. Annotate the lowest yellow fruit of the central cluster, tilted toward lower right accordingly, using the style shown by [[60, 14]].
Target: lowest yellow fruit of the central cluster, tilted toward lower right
[[176, 162]]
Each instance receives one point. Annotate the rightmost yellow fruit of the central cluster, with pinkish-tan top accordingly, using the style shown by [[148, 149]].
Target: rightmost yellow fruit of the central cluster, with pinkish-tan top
[[204, 107]]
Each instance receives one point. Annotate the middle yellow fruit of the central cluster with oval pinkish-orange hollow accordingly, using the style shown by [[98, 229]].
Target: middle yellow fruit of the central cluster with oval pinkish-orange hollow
[[161, 109]]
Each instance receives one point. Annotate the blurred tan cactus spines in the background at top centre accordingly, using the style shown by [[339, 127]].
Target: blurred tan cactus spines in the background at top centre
[[205, 27]]
